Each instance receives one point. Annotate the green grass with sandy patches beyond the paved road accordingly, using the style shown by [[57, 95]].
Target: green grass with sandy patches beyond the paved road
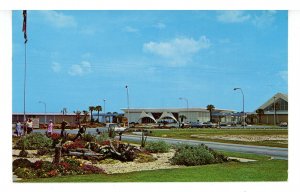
[[186, 134]]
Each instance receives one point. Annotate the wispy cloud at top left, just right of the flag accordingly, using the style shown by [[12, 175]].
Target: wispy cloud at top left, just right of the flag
[[59, 19]]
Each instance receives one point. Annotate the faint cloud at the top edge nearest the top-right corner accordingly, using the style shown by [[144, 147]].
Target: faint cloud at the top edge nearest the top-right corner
[[265, 19]]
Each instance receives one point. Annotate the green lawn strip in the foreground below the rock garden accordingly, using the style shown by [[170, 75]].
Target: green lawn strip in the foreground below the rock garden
[[268, 170]]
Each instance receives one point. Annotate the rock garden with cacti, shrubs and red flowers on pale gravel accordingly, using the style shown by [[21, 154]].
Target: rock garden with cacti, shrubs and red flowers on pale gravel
[[36, 155]]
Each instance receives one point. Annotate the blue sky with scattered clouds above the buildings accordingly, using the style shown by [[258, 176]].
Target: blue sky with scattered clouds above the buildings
[[76, 59]]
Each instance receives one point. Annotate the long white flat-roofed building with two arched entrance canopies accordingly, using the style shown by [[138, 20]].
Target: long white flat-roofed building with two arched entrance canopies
[[171, 115]]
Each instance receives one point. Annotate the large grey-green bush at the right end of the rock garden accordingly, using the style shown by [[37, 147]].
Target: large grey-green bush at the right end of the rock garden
[[193, 155]]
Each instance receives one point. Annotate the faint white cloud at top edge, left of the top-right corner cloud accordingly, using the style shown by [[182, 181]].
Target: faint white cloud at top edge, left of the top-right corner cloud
[[232, 16]]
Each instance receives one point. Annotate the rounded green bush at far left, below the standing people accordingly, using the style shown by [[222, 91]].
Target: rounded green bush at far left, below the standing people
[[33, 141]]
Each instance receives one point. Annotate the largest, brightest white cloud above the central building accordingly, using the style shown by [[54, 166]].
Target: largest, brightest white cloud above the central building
[[178, 51]]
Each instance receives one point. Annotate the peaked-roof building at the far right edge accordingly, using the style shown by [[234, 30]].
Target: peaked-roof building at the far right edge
[[275, 110]]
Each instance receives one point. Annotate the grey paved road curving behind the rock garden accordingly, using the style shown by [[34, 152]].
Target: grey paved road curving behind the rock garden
[[275, 152]]
